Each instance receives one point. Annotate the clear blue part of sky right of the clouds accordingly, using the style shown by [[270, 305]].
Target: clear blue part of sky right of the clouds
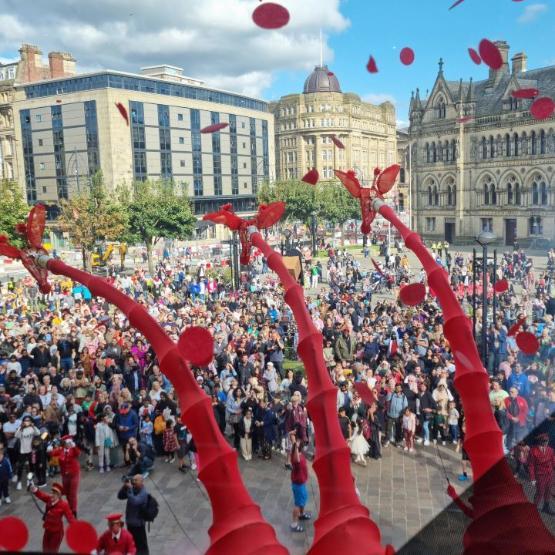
[[382, 28]]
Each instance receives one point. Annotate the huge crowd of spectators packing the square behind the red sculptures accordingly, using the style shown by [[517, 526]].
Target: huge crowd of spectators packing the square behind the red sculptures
[[79, 386]]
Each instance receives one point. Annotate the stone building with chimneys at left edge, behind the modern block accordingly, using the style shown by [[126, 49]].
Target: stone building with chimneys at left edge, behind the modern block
[[28, 68]]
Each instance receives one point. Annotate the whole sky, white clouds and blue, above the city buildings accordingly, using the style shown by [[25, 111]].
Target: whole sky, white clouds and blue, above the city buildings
[[216, 40]]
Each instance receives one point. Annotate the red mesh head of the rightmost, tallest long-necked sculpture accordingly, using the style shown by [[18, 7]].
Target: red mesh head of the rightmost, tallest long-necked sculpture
[[383, 183]]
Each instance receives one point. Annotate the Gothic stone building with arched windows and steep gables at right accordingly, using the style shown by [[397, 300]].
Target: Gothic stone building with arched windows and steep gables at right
[[480, 161]]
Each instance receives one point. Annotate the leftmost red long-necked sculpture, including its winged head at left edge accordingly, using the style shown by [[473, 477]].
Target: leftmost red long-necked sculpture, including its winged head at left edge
[[235, 515]]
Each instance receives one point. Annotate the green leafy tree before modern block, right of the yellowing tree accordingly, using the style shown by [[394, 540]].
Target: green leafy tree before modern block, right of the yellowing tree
[[156, 211]]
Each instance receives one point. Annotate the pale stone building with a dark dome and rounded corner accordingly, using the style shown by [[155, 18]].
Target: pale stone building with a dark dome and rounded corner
[[306, 122]]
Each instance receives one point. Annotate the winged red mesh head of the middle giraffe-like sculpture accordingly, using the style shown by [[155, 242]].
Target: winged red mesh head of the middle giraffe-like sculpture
[[267, 216]]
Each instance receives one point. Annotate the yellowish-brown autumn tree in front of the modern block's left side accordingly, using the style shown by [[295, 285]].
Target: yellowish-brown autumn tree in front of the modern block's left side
[[92, 216]]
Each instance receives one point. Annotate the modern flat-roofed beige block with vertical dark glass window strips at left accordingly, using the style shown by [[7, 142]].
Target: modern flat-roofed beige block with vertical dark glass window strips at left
[[71, 128]]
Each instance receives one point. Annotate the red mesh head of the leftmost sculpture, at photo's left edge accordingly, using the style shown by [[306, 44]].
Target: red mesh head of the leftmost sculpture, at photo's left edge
[[32, 232]]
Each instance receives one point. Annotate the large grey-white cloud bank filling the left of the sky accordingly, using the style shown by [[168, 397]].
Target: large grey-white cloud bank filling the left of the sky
[[215, 40]]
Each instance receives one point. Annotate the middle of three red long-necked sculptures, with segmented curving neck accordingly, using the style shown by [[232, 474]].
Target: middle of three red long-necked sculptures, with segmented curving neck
[[343, 524]]
